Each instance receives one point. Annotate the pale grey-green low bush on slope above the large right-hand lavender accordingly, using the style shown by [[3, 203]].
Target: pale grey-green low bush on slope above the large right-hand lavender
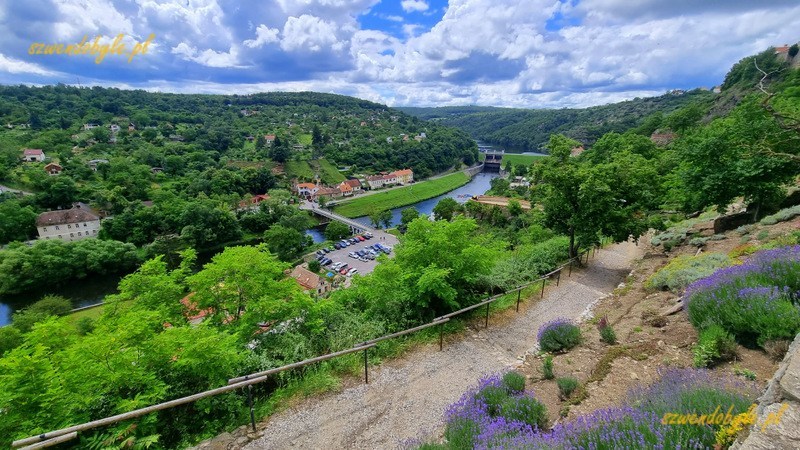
[[683, 270]]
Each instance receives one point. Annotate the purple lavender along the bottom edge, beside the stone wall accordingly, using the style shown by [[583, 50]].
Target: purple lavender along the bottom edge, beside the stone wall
[[637, 424]]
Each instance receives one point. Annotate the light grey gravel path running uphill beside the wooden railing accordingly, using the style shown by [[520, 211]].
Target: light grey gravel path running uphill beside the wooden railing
[[406, 398]]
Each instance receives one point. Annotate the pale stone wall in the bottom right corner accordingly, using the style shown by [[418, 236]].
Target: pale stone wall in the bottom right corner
[[778, 424]]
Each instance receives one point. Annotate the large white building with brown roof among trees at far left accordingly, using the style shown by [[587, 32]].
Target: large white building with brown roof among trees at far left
[[78, 222]]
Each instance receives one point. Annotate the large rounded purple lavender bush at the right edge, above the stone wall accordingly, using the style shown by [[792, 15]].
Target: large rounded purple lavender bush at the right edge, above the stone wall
[[757, 300]]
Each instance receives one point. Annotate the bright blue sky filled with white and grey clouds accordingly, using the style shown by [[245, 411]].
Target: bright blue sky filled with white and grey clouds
[[512, 53]]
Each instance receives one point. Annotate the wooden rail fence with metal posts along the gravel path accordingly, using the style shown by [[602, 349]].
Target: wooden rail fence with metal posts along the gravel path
[[247, 381]]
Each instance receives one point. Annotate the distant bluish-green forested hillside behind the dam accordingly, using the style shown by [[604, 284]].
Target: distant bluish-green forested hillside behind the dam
[[525, 129]]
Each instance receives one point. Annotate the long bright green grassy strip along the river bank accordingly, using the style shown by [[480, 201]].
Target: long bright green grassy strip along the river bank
[[396, 198]]
